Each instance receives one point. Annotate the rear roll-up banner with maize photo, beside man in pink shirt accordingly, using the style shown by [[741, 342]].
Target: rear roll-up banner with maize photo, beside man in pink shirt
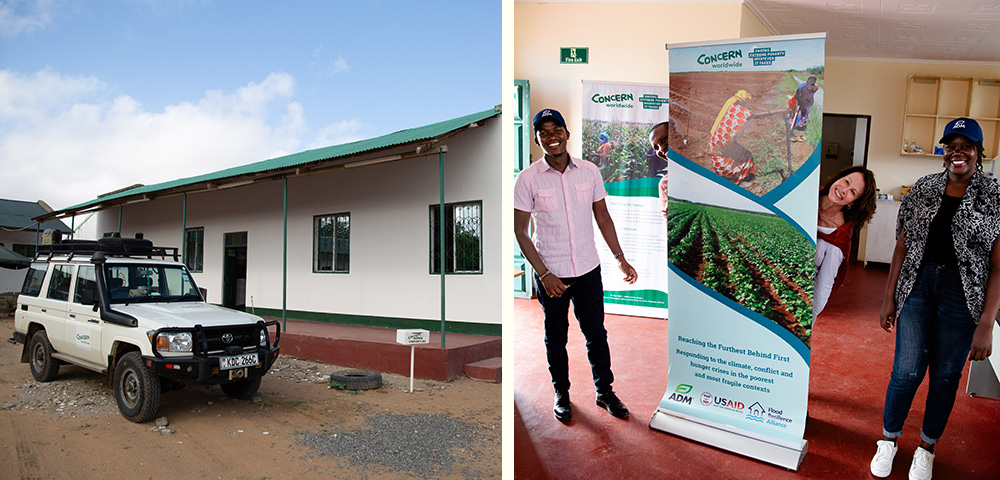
[[617, 118]]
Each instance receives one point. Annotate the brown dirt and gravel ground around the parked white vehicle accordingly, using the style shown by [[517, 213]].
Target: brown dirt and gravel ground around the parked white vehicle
[[296, 427]]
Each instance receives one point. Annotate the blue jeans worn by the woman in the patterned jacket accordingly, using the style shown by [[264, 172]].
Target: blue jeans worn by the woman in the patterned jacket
[[933, 333]]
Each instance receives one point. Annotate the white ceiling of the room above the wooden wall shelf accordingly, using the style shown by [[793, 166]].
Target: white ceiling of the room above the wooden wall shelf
[[947, 31]]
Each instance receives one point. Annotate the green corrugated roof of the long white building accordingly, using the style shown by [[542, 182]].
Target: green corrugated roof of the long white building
[[297, 159]]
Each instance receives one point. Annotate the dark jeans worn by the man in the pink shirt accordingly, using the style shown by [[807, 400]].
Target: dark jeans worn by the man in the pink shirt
[[587, 294]]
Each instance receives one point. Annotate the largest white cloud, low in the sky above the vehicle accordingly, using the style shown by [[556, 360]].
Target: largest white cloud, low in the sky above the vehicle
[[61, 142]]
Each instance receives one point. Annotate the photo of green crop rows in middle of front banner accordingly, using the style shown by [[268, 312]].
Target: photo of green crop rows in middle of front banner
[[744, 254]]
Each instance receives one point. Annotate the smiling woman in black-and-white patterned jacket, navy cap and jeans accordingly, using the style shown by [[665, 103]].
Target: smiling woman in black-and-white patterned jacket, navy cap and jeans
[[943, 291]]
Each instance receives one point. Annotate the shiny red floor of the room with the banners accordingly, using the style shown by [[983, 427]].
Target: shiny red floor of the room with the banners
[[851, 361]]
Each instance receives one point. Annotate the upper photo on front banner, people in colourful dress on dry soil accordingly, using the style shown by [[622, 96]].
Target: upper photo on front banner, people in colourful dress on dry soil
[[742, 125]]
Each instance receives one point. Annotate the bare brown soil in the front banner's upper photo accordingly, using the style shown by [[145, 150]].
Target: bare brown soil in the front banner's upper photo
[[696, 100]]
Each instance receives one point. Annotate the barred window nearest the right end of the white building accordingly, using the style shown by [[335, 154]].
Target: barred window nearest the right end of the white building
[[463, 238]]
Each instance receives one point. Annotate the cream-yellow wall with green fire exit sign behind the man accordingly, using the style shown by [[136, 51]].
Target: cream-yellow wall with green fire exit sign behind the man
[[626, 42]]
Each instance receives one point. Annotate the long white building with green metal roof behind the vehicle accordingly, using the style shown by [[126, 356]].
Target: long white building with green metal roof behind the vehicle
[[347, 234]]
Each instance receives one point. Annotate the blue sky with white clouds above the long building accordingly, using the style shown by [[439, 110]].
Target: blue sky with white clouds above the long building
[[97, 96]]
